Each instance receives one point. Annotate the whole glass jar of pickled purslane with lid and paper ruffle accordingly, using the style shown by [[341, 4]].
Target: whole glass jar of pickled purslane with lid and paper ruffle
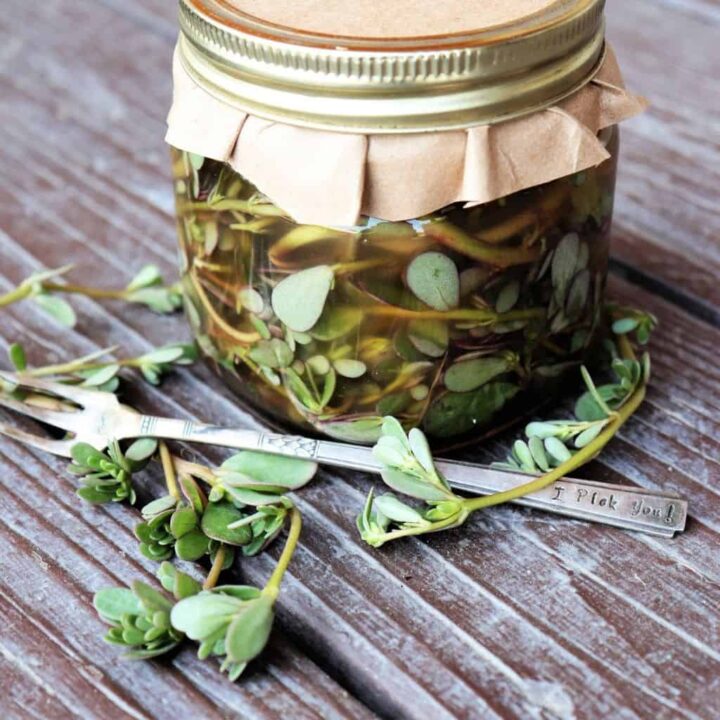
[[476, 166]]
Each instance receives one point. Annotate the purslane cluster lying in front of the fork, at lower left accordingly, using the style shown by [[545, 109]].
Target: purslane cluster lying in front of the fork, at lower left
[[245, 507]]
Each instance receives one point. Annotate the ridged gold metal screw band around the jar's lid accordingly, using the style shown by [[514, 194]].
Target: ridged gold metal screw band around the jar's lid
[[431, 84]]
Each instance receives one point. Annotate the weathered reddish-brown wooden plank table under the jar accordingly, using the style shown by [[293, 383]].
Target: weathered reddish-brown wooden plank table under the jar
[[518, 615]]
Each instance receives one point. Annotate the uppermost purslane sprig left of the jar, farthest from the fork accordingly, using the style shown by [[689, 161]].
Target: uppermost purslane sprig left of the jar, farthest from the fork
[[147, 288]]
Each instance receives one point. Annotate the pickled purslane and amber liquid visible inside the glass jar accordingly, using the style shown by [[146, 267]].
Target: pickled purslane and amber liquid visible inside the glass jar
[[457, 322]]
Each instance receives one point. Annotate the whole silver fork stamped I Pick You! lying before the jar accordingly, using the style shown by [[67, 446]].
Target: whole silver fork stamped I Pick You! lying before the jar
[[100, 418]]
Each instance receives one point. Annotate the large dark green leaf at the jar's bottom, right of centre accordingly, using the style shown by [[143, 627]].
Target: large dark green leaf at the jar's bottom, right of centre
[[458, 413]]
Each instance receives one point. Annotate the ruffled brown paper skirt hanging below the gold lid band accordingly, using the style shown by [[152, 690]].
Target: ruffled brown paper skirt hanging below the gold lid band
[[330, 178]]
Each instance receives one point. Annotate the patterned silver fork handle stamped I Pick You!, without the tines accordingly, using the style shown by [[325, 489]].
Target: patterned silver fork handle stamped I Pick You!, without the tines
[[627, 507]]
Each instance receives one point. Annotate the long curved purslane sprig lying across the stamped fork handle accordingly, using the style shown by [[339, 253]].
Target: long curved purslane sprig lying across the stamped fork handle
[[552, 450]]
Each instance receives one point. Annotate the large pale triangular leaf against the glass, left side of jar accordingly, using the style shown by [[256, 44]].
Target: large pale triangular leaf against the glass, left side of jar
[[299, 299]]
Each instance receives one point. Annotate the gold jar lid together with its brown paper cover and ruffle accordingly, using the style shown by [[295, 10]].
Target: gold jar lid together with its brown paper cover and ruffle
[[329, 143]]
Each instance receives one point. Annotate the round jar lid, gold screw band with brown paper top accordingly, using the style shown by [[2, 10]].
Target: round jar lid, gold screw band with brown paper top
[[374, 66]]
